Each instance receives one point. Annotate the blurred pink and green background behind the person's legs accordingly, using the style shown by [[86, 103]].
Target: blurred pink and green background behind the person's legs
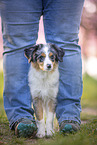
[[88, 42]]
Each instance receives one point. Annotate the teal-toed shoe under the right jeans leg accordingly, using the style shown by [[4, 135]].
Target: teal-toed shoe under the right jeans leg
[[69, 127]]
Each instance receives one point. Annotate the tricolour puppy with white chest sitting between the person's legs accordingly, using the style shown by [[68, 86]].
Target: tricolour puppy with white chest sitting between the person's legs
[[43, 81]]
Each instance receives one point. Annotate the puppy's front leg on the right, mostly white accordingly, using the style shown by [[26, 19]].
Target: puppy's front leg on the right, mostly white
[[50, 109]]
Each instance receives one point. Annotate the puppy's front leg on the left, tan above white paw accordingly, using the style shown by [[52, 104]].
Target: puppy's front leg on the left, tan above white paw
[[38, 106]]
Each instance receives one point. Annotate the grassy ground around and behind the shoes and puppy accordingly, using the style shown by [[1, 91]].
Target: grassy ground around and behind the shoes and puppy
[[87, 134]]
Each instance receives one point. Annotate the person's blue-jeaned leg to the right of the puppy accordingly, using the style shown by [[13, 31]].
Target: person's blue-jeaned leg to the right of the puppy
[[61, 23]]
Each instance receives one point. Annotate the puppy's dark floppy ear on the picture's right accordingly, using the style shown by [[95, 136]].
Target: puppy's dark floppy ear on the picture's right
[[60, 52]]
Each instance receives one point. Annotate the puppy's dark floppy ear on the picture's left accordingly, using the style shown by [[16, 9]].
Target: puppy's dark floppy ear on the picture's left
[[30, 53]]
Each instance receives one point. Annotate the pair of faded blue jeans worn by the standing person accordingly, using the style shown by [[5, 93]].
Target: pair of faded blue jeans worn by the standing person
[[20, 21]]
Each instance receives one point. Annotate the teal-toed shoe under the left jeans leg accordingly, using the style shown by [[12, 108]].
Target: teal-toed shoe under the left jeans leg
[[25, 128]]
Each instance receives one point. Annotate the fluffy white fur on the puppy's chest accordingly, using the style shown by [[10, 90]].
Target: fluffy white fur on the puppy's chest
[[43, 83]]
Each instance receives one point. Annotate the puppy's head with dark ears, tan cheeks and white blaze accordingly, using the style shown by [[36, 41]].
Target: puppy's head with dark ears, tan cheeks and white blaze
[[44, 56]]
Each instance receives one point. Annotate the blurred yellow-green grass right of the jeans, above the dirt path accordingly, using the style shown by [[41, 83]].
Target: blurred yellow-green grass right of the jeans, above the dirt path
[[89, 97]]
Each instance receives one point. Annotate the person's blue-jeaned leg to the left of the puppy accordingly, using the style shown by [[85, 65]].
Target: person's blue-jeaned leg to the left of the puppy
[[20, 20]]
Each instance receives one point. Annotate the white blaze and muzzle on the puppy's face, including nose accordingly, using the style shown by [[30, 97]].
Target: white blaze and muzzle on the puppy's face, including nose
[[48, 65]]
